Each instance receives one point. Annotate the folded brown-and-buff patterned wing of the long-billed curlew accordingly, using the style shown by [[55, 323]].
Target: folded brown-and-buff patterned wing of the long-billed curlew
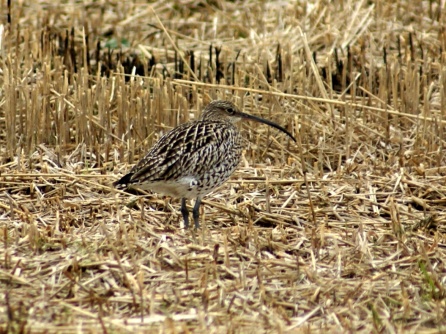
[[187, 150]]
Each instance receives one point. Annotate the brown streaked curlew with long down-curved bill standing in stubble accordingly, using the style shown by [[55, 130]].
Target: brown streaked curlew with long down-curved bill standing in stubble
[[194, 158]]
